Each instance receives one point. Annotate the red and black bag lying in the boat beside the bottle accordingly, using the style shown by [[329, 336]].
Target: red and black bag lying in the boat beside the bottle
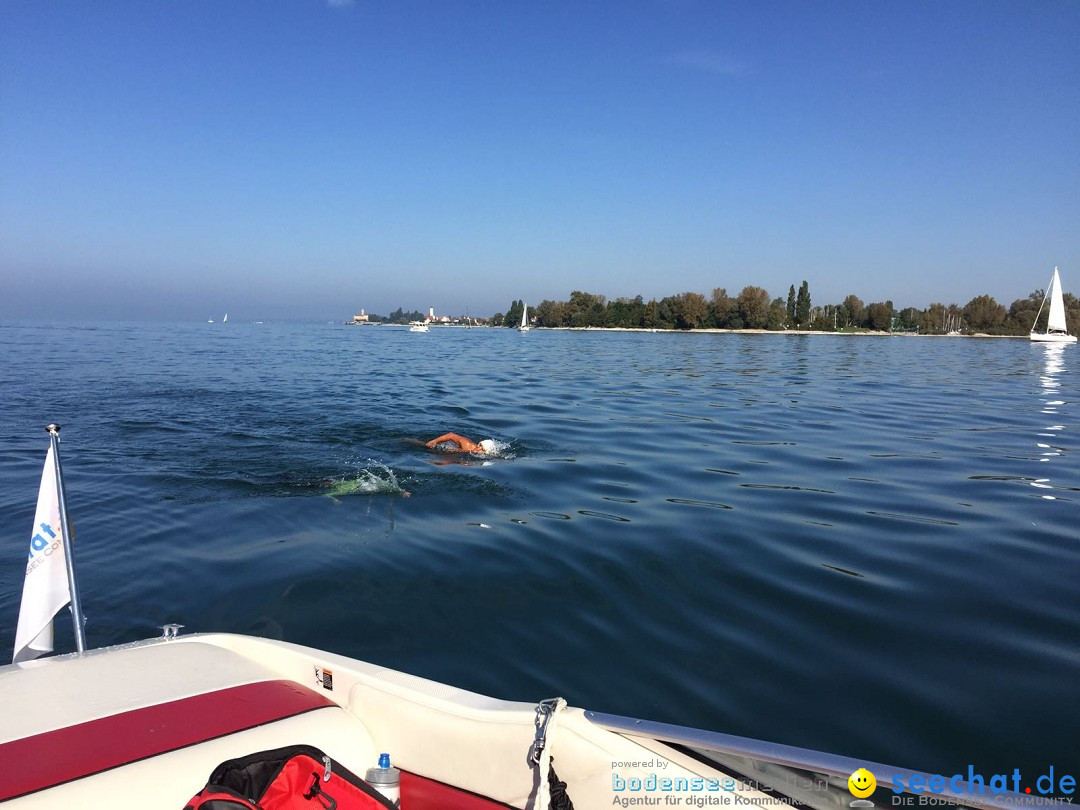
[[295, 778]]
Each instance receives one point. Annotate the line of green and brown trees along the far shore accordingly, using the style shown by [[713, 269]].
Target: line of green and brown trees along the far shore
[[755, 309]]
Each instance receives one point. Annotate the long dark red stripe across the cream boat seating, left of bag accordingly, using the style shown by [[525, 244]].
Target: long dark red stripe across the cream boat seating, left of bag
[[66, 754]]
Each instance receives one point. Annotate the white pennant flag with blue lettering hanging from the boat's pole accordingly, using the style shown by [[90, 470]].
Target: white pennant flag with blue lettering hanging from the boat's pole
[[46, 588]]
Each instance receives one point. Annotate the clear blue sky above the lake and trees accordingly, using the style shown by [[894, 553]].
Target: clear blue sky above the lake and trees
[[307, 159]]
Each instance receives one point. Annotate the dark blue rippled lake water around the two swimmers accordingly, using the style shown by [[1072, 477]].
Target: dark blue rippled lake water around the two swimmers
[[861, 545]]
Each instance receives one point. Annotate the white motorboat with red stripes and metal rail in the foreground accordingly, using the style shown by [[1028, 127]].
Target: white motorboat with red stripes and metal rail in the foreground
[[152, 721]]
